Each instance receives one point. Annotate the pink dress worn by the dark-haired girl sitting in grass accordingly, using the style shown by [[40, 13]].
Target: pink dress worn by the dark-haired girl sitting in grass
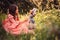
[[15, 27]]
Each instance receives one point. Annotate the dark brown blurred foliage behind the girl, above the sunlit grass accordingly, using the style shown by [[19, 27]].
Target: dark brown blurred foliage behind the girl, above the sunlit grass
[[26, 5]]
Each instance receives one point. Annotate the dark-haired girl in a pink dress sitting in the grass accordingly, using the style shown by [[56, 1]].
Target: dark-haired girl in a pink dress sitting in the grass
[[12, 24]]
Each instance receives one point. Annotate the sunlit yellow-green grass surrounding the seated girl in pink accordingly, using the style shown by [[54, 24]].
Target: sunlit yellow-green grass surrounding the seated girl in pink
[[47, 27]]
